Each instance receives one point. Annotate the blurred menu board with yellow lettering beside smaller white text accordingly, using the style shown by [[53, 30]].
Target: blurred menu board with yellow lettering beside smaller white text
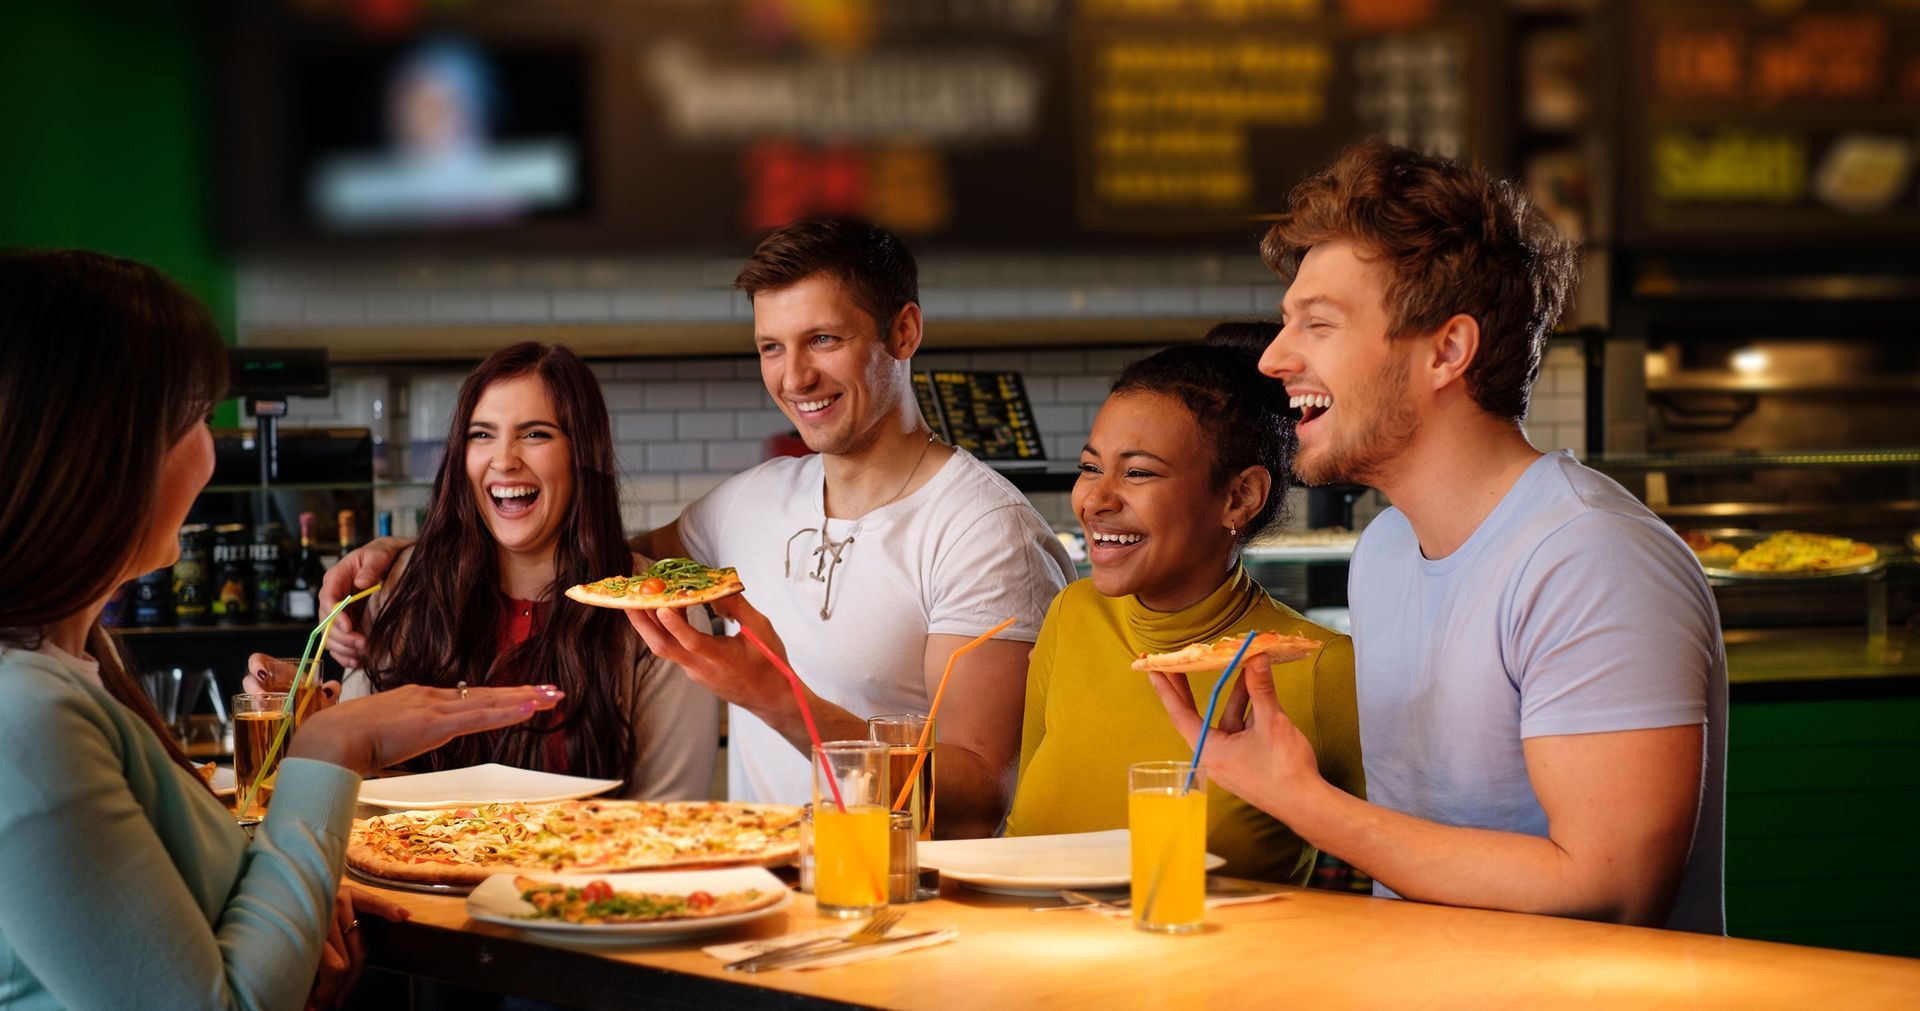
[[1197, 114]]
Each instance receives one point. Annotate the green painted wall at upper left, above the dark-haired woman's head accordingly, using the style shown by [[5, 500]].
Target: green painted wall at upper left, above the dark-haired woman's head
[[108, 137]]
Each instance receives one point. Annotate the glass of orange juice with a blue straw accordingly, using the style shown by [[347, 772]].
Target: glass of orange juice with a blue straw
[[1166, 818]]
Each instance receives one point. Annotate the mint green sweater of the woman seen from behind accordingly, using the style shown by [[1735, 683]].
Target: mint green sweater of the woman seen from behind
[[128, 883]]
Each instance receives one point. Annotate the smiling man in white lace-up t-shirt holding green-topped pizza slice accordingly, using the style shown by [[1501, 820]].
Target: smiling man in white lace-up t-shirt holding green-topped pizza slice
[[875, 557]]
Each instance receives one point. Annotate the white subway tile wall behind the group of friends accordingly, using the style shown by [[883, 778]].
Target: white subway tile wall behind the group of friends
[[683, 425]]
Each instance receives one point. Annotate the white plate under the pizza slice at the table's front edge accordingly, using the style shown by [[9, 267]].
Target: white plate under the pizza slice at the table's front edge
[[496, 901]]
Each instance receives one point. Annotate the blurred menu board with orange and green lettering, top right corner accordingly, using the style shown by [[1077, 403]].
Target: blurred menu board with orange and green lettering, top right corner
[[1771, 122]]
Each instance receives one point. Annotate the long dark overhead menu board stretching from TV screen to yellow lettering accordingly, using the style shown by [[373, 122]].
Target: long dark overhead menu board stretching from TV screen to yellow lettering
[[953, 122]]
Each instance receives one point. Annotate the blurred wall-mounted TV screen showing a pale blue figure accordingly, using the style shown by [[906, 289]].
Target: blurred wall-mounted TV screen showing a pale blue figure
[[446, 135]]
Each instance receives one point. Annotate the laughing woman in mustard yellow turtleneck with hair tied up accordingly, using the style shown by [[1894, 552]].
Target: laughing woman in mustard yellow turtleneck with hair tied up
[[1188, 461]]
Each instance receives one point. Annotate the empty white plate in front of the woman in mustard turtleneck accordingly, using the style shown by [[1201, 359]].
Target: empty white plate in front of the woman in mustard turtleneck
[[1038, 866]]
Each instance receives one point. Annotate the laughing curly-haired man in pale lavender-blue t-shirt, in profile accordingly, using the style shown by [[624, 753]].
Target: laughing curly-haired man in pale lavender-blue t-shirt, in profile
[[1541, 678]]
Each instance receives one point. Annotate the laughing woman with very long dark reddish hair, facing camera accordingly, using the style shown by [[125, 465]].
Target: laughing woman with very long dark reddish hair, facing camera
[[525, 505]]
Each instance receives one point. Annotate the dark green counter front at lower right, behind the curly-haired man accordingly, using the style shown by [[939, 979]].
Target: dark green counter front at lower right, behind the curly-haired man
[[1823, 824]]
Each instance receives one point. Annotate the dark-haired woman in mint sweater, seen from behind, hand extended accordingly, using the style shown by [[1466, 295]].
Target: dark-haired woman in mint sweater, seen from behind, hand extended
[[133, 885]]
